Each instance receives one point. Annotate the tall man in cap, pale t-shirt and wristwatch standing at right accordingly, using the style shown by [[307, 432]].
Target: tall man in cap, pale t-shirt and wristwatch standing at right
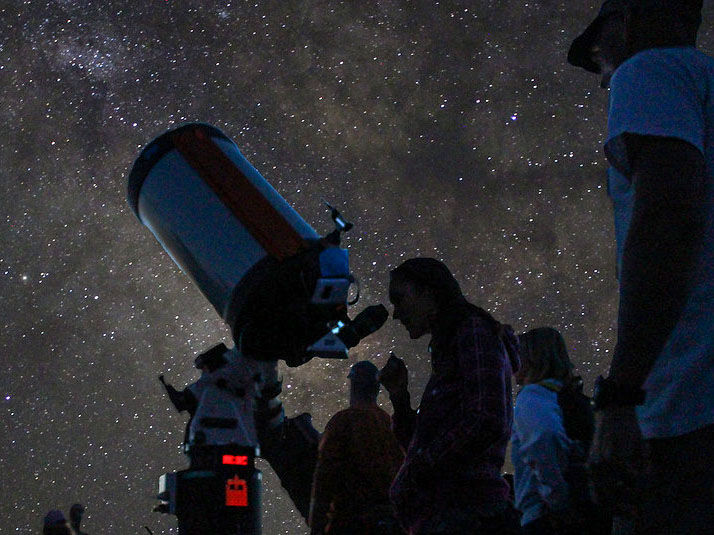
[[661, 150]]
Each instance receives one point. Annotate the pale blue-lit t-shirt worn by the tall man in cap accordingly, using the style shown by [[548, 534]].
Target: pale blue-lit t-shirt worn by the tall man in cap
[[669, 92]]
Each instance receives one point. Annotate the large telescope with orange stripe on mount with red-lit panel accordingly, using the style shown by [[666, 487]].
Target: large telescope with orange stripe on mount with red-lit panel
[[283, 291]]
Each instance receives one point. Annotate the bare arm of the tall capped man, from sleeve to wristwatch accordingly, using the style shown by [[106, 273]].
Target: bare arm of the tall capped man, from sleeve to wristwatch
[[663, 241]]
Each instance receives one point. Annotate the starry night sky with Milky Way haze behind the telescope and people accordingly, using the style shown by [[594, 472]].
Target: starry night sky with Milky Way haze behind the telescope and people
[[446, 129]]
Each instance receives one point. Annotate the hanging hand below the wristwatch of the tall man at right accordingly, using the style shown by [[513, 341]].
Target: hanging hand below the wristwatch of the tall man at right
[[617, 460]]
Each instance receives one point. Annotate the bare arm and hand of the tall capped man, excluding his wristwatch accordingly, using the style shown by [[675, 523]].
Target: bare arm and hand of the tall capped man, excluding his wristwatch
[[663, 241]]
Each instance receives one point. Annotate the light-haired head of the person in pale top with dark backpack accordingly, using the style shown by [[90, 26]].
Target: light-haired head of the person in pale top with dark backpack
[[543, 356]]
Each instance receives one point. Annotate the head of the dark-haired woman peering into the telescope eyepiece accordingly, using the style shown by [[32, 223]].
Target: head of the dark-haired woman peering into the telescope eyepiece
[[419, 289]]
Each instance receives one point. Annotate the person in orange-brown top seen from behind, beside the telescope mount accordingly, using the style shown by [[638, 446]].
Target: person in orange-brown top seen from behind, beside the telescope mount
[[357, 460]]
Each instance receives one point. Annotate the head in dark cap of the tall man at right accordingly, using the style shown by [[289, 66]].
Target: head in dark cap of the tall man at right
[[624, 27]]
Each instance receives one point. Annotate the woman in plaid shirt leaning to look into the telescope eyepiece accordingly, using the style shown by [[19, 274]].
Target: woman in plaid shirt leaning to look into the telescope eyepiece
[[451, 480]]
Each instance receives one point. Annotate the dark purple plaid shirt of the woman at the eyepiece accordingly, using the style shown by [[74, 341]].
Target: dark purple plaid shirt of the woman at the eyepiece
[[457, 439]]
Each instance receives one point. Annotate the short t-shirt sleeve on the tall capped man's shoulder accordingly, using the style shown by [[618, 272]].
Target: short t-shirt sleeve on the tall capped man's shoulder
[[655, 93]]
